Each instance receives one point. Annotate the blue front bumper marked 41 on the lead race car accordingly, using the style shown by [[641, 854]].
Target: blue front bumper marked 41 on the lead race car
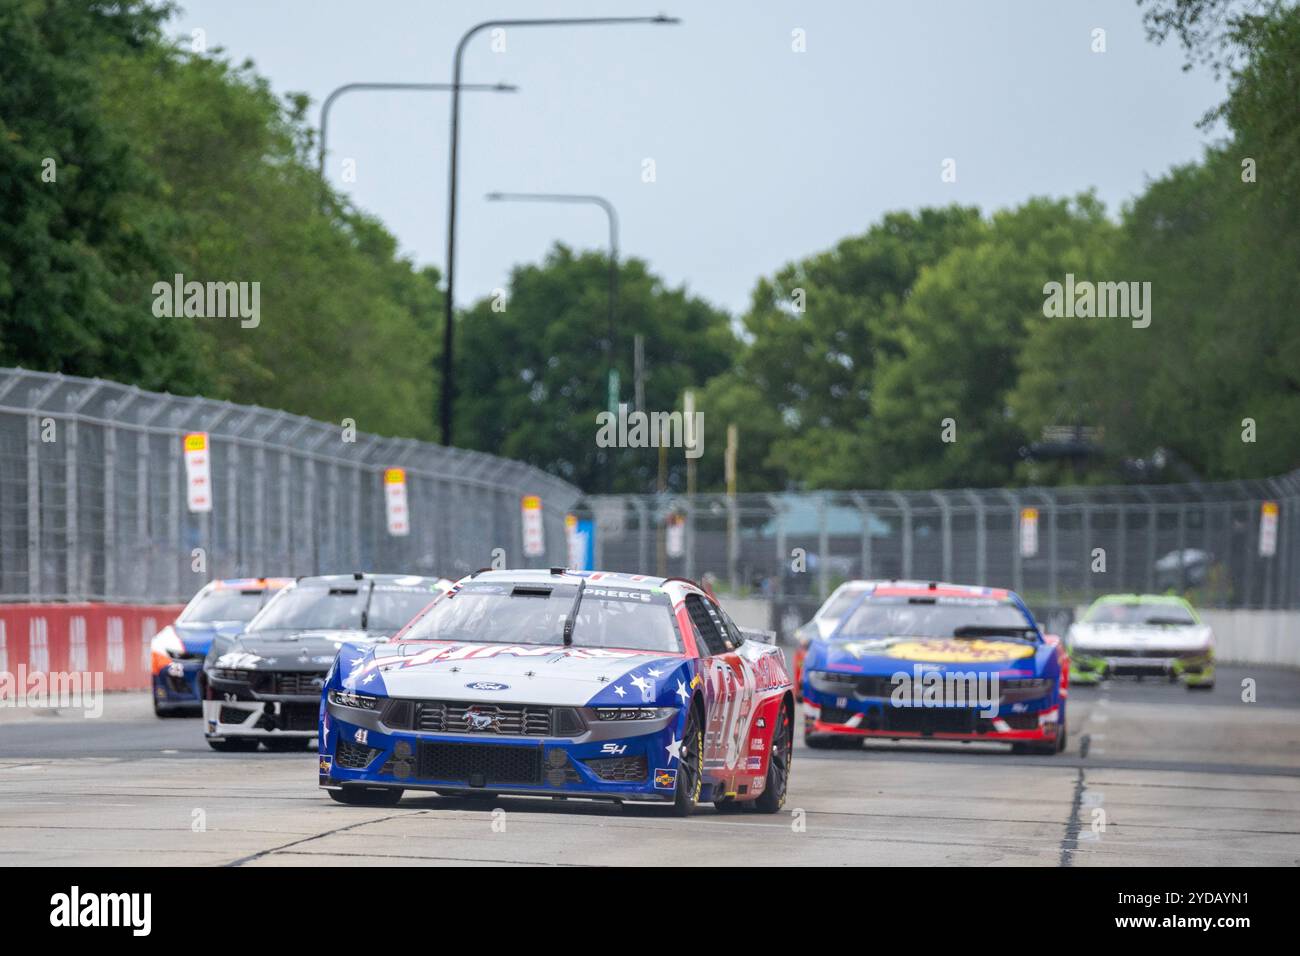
[[634, 760]]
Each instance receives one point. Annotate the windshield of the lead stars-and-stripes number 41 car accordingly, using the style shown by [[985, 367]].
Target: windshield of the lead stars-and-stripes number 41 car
[[528, 615]]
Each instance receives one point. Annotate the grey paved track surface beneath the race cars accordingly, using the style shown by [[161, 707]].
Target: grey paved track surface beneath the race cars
[[1155, 775]]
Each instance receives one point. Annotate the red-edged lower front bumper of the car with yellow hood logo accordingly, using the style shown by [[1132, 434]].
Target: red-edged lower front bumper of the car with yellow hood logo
[[882, 720]]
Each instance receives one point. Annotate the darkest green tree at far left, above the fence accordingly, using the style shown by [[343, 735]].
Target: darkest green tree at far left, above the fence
[[81, 222]]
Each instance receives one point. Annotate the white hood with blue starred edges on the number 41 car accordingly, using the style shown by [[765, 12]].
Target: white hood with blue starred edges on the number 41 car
[[523, 673]]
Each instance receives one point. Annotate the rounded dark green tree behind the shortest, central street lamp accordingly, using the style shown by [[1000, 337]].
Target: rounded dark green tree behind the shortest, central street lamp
[[532, 377]]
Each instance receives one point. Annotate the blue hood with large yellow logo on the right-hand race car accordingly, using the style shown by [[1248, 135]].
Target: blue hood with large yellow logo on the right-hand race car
[[887, 656]]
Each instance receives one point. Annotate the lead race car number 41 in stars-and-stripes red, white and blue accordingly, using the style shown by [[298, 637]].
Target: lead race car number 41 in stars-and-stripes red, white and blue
[[564, 684]]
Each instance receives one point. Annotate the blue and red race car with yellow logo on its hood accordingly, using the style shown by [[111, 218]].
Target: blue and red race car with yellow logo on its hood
[[937, 661]]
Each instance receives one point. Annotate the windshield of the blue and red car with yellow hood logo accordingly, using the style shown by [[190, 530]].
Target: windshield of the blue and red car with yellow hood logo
[[911, 617]]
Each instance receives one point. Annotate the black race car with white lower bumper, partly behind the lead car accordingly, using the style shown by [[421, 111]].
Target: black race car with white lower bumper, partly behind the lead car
[[266, 684]]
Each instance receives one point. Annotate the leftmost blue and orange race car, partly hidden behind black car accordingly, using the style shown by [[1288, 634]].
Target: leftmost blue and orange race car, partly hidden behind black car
[[179, 650]]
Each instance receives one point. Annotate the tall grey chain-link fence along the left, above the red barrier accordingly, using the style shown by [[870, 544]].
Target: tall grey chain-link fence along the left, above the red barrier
[[94, 499]]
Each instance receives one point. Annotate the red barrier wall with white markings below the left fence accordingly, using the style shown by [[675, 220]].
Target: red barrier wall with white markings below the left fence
[[112, 639]]
